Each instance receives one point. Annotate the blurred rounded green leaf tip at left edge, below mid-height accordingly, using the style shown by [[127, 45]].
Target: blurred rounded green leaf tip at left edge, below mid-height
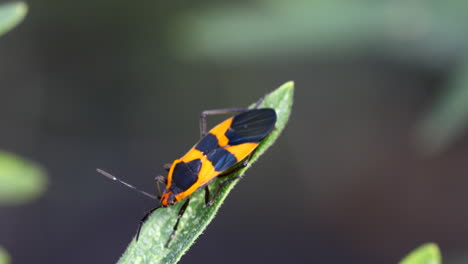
[[20, 180]]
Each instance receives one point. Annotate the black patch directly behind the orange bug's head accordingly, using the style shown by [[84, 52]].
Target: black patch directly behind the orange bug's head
[[185, 175]]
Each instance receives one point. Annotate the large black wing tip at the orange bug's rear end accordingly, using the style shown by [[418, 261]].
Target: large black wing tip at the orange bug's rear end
[[251, 126]]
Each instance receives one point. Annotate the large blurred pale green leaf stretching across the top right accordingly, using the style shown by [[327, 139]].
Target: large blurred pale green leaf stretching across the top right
[[427, 31]]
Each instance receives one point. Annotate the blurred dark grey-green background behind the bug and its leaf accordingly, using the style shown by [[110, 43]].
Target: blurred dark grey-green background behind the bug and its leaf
[[371, 165]]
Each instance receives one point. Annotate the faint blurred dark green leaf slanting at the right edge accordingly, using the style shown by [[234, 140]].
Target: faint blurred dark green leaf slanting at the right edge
[[448, 117]]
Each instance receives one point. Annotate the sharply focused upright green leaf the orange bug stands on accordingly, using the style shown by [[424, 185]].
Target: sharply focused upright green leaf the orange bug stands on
[[150, 247]]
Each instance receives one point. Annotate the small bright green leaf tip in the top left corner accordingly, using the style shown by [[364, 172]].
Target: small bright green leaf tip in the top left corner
[[11, 14]]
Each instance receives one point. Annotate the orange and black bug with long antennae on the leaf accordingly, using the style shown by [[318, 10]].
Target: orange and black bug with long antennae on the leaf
[[220, 152]]
